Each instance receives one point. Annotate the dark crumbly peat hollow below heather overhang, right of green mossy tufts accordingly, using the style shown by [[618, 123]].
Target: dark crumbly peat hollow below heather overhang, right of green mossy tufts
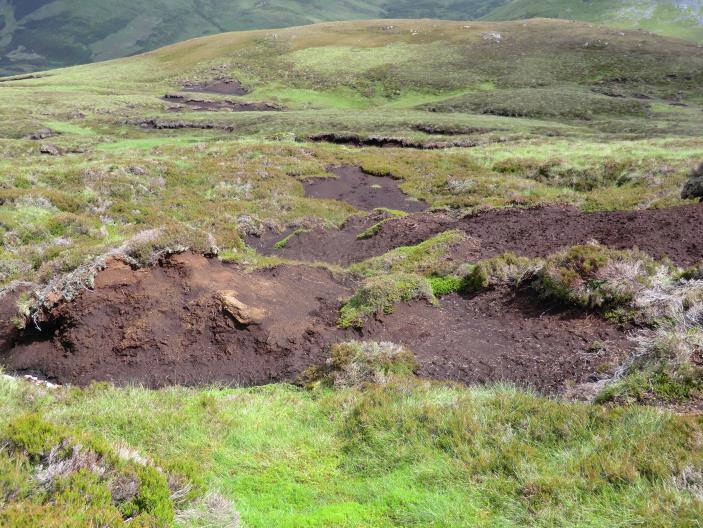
[[497, 336]]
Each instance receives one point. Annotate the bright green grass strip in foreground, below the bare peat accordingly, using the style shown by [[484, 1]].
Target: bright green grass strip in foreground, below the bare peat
[[400, 453]]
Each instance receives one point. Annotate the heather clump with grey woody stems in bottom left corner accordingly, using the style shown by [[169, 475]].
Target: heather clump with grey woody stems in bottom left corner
[[56, 477]]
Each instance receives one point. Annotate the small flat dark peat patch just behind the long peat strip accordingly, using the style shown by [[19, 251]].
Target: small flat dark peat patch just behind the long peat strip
[[363, 191]]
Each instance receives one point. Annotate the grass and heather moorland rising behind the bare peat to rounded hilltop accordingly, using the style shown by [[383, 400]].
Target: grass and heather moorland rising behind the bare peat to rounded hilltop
[[602, 127]]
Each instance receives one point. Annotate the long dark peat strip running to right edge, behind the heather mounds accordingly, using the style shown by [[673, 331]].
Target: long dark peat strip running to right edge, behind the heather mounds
[[673, 233]]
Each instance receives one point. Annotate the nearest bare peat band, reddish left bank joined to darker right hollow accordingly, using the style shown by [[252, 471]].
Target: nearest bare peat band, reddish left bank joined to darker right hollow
[[169, 325]]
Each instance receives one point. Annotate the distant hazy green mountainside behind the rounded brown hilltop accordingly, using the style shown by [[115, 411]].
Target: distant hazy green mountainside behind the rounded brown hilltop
[[42, 34]]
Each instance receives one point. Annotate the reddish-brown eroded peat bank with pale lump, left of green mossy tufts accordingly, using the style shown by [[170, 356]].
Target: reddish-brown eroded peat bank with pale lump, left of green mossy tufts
[[167, 325]]
